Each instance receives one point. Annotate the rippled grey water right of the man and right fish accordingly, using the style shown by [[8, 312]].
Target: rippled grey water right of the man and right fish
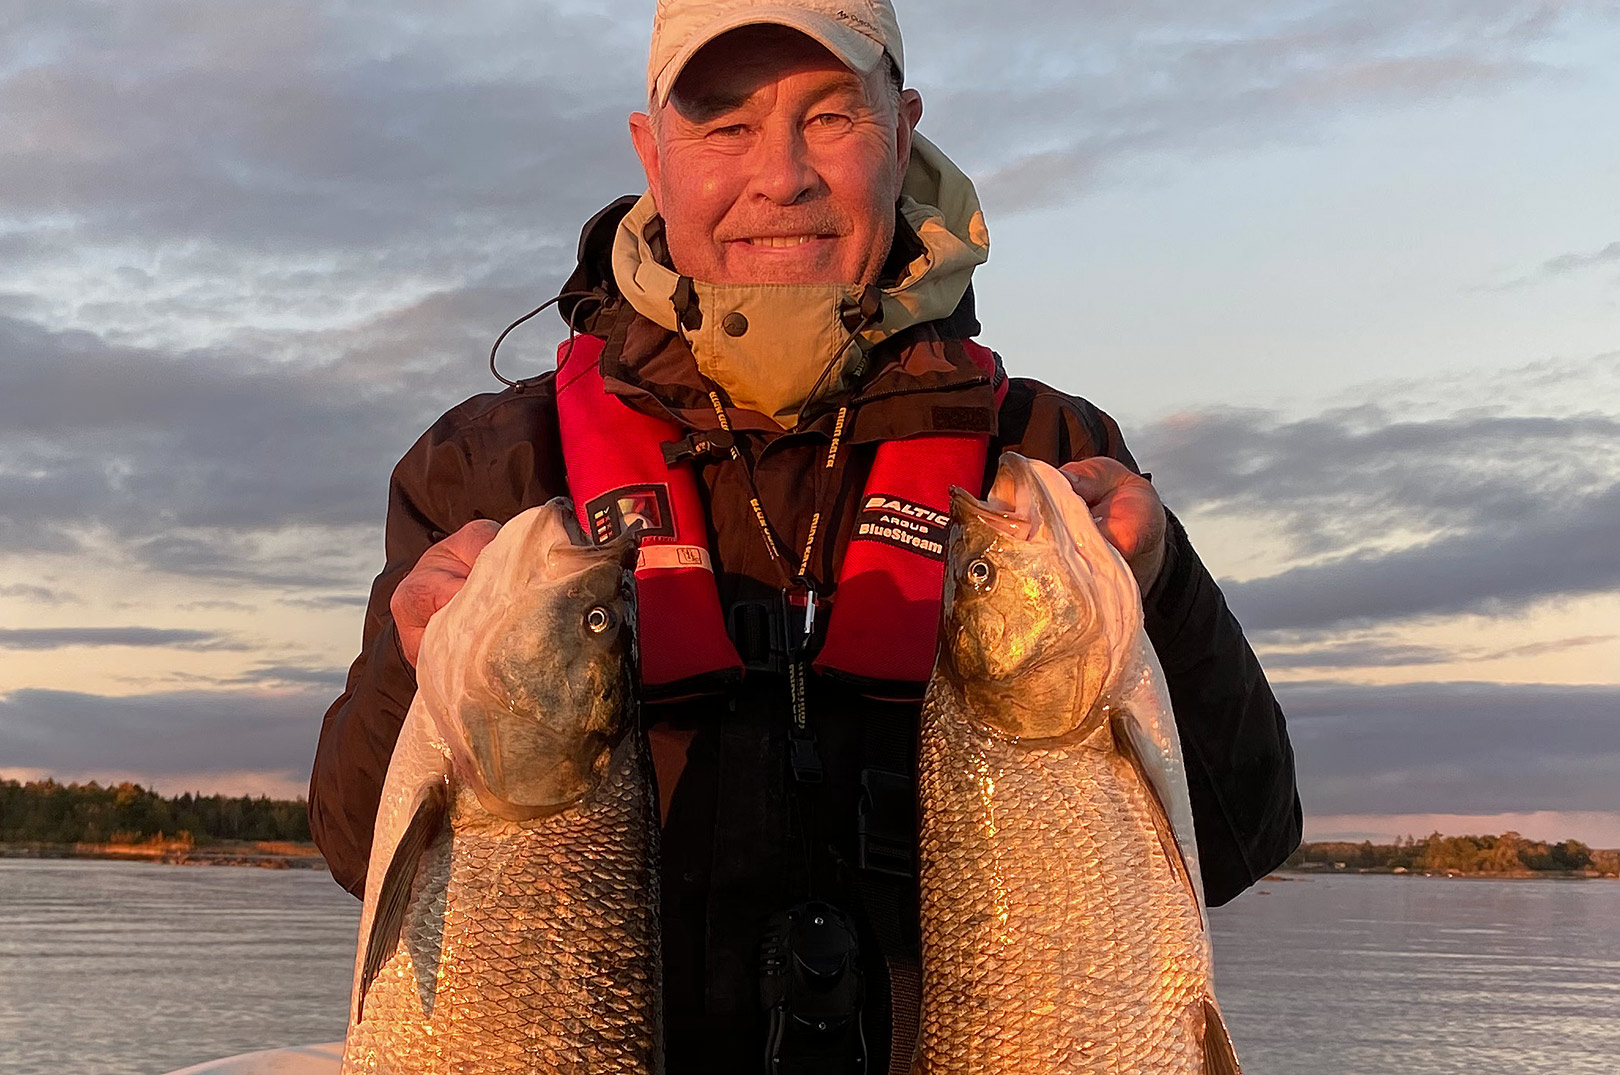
[[1383, 975]]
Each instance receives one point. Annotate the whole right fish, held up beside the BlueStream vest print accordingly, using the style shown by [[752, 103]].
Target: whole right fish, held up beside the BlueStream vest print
[[1064, 924]]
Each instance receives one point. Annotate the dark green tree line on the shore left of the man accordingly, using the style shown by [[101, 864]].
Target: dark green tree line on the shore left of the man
[[129, 814]]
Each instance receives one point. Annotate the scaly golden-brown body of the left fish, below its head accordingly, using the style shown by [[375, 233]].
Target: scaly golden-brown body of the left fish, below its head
[[542, 933]]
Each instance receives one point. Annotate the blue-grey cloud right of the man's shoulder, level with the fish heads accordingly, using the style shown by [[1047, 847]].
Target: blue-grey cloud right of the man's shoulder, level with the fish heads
[[1383, 517]]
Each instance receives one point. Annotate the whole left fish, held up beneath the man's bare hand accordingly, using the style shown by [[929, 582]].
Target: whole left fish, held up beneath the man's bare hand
[[511, 914]]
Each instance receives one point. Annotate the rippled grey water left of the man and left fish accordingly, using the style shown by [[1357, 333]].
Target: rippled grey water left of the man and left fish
[[139, 969]]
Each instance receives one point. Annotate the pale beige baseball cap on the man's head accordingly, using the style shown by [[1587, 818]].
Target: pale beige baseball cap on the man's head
[[856, 32]]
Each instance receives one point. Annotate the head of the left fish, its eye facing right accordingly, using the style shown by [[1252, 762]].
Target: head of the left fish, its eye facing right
[[547, 671]]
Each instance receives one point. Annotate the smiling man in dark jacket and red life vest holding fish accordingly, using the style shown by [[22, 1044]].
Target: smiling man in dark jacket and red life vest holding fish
[[785, 326]]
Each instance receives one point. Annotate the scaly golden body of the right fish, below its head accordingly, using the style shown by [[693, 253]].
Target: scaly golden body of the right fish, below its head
[[1086, 869]]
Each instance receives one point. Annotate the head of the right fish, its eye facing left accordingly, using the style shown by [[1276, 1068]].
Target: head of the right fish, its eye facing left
[[1031, 610]]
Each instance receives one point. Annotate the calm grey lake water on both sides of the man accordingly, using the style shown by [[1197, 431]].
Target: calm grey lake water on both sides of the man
[[134, 969]]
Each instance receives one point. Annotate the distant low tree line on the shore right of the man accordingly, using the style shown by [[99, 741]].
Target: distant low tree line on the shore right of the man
[[1507, 854]]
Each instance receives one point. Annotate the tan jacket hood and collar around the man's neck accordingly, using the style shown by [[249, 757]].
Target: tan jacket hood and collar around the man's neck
[[774, 347]]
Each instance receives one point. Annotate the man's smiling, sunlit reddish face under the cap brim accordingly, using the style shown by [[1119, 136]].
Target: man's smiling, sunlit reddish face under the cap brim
[[777, 164]]
